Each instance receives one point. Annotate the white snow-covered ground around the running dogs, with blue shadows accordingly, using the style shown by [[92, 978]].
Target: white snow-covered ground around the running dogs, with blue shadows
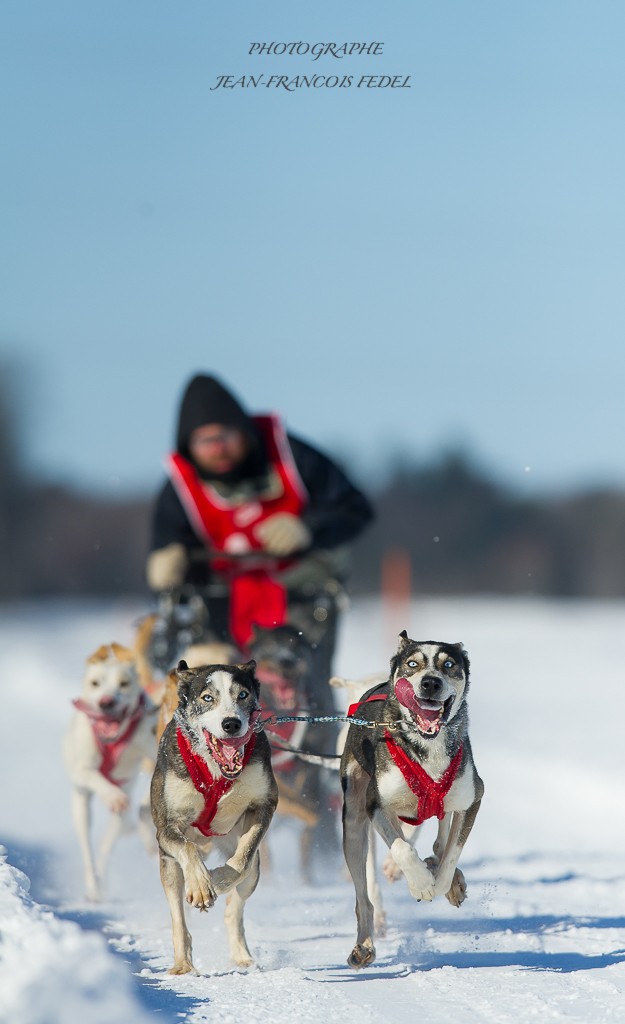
[[541, 936]]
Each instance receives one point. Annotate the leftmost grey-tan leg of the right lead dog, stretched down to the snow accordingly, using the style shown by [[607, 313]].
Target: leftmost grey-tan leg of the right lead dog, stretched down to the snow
[[356, 844]]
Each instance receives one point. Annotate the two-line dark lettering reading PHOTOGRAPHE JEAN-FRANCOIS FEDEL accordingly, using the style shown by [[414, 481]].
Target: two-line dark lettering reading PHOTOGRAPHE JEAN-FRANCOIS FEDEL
[[314, 78]]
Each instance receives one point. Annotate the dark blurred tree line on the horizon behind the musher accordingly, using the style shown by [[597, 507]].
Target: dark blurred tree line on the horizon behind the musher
[[461, 533]]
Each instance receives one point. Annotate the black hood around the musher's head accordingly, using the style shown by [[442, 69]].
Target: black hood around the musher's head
[[207, 401]]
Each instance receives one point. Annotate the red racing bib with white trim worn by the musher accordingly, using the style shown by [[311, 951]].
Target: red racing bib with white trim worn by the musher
[[222, 526]]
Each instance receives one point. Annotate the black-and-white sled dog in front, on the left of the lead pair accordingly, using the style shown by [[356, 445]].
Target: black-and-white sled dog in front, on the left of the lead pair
[[213, 788]]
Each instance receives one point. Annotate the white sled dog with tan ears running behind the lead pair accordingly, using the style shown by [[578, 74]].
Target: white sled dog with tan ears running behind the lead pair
[[111, 737]]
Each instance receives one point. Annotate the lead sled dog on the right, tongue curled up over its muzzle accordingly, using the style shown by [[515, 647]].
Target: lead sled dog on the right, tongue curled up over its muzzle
[[415, 763]]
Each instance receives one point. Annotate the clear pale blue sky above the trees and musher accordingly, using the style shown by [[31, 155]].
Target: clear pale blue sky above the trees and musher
[[408, 269]]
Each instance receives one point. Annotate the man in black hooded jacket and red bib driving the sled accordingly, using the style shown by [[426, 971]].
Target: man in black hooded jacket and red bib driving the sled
[[273, 519]]
